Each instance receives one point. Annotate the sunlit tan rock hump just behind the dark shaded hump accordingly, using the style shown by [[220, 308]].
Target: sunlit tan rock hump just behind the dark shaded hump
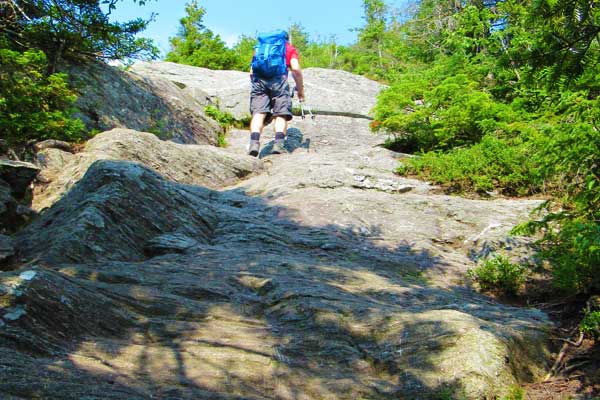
[[191, 164]]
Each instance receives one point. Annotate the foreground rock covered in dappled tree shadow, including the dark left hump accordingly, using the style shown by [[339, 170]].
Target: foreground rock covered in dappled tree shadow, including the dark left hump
[[258, 306]]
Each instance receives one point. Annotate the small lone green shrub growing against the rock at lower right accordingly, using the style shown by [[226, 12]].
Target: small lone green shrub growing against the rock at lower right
[[499, 273]]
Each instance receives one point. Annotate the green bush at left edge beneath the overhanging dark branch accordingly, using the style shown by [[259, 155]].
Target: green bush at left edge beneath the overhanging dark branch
[[33, 105]]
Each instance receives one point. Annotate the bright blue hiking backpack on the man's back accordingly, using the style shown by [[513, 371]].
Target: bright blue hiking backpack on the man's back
[[269, 55]]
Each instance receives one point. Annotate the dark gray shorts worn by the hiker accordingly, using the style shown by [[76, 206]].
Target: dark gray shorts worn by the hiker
[[272, 97]]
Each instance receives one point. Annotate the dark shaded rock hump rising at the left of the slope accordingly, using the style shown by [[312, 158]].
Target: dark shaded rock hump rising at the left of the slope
[[100, 218]]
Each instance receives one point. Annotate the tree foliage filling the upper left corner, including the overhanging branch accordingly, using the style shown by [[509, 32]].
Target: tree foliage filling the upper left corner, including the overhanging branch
[[35, 37]]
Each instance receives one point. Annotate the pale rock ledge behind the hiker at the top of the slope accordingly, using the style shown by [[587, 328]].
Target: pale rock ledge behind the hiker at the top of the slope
[[327, 91]]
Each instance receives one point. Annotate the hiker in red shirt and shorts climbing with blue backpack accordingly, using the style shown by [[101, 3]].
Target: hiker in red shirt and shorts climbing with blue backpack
[[270, 96]]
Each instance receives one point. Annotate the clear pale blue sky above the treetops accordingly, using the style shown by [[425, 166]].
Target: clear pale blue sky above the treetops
[[230, 19]]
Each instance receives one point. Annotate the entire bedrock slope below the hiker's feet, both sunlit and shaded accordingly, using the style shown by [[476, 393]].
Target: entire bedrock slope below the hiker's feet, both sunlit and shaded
[[317, 274]]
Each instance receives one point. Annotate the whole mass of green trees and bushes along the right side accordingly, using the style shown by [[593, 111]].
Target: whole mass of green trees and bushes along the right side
[[503, 96]]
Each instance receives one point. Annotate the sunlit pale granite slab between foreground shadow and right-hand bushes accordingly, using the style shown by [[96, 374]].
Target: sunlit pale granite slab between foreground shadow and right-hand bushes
[[337, 173]]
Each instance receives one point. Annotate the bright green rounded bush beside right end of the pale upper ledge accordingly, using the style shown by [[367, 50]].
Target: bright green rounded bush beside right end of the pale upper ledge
[[442, 108]]
